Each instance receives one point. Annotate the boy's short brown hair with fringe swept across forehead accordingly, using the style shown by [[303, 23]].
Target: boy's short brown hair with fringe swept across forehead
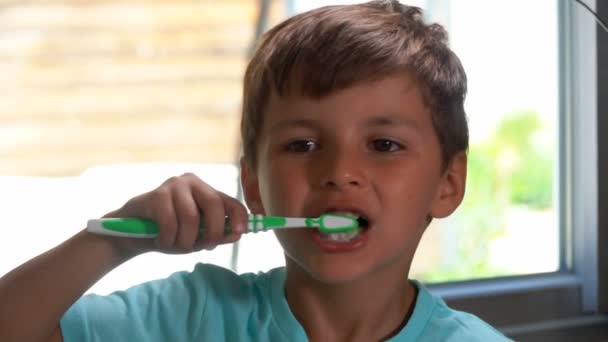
[[333, 47]]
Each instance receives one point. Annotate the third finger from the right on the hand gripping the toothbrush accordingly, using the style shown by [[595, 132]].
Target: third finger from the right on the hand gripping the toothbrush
[[188, 216]]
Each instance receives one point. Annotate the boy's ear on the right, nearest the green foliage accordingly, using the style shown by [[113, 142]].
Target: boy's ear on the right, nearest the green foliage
[[452, 187]]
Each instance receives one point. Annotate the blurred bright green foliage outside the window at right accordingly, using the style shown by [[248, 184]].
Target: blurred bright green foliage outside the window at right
[[512, 169]]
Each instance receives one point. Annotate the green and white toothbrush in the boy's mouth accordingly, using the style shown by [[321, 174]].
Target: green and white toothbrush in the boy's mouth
[[143, 228]]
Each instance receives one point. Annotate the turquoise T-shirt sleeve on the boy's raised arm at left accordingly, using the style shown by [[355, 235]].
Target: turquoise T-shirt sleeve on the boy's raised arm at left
[[161, 310]]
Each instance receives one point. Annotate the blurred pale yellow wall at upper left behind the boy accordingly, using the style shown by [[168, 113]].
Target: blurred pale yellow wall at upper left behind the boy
[[87, 82]]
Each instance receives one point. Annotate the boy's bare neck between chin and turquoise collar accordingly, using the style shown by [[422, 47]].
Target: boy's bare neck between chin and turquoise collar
[[373, 308]]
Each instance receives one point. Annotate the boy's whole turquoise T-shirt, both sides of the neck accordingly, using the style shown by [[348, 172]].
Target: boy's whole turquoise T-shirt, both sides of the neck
[[215, 304]]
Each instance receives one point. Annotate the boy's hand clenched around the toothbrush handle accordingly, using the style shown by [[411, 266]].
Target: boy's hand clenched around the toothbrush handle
[[178, 206]]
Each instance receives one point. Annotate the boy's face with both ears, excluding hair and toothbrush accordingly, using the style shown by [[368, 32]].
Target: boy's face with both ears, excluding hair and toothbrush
[[370, 150]]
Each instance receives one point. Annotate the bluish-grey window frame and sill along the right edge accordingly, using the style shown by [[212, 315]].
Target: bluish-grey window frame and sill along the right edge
[[569, 301]]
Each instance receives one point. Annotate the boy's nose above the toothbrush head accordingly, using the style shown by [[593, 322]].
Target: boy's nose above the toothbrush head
[[340, 170]]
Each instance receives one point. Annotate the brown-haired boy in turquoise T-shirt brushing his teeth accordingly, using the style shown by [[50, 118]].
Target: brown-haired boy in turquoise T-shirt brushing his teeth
[[347, 109]]
